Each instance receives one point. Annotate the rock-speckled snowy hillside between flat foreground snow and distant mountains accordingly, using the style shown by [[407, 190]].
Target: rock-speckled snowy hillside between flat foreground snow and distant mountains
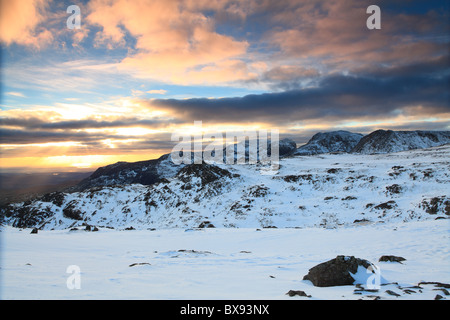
[[329, 190]]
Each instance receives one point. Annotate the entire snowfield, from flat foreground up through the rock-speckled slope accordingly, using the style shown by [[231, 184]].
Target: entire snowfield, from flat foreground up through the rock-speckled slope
[[268, 232]]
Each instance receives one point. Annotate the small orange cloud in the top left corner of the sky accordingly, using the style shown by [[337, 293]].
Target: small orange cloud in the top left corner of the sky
[[19, 21]]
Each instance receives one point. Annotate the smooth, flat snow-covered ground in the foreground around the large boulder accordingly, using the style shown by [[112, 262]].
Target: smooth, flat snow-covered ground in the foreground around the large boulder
[[221, 263]]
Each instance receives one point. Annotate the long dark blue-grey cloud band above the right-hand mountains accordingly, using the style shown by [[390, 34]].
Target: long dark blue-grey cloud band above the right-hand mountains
[[337, 97]]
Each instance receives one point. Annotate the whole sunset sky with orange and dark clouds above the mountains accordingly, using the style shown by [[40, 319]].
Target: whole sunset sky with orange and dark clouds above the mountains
[[134, 72]]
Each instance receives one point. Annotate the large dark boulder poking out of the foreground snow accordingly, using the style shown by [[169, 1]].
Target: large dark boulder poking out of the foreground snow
[[336, 272]]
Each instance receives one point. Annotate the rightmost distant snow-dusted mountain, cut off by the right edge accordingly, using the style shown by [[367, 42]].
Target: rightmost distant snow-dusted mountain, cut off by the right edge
[[382, 141]]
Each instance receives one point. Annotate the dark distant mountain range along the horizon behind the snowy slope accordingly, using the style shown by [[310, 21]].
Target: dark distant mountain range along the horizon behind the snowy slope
[[380, 141]]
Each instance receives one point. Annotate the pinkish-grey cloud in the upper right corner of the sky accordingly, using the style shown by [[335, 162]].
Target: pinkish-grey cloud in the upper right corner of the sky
[[334, 33]]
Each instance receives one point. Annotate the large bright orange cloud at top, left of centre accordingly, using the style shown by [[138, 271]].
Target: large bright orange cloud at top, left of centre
[[174, 42]]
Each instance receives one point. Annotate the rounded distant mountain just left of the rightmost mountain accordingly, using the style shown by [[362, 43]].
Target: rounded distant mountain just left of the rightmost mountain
[[325, 142]]
